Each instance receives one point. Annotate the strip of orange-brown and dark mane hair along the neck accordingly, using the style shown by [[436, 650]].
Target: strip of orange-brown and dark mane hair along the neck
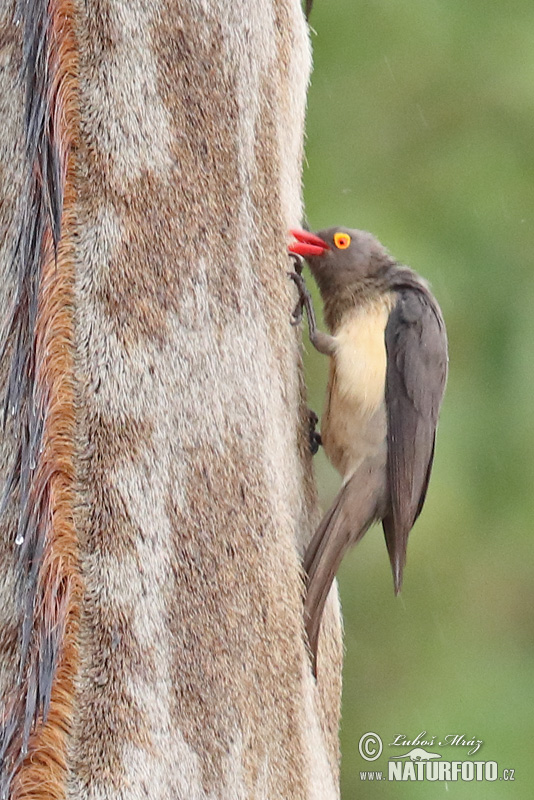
[[39, 403]]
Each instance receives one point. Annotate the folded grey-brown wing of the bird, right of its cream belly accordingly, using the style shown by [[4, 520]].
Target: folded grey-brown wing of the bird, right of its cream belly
[[416, 345]]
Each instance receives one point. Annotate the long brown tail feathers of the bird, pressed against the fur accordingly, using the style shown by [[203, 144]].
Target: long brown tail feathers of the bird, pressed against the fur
[[352, 513]]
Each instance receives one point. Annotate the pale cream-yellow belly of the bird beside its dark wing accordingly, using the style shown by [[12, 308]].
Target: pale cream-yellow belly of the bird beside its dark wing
[[354, 425]]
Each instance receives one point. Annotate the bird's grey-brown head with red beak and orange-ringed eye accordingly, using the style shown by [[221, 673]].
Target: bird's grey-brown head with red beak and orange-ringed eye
[[341, 257]]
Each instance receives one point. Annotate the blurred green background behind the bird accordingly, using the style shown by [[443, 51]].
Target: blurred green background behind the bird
[[421, 130]]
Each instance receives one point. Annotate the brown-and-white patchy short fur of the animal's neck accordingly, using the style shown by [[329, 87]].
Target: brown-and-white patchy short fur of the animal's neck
[[193, 493]]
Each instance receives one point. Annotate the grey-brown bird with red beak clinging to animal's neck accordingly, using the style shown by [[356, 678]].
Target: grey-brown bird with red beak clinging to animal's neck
[[387, 345]]
